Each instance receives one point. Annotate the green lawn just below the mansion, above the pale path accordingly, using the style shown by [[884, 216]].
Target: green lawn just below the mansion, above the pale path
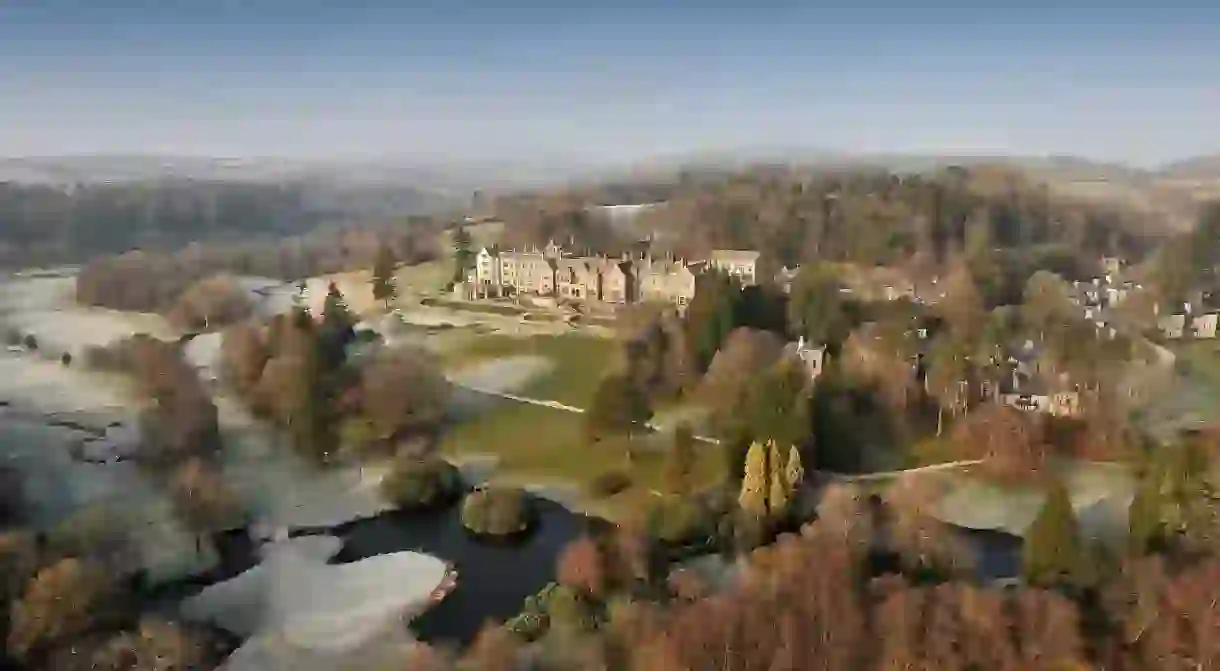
[[580, 363]]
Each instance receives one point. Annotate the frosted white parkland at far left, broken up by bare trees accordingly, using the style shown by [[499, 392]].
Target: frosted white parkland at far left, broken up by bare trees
[[278, 487]]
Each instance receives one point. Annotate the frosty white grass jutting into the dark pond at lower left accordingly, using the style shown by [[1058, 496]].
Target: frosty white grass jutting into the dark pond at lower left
[[298, 612]]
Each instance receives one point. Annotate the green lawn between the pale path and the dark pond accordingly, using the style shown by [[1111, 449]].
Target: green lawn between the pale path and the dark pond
[[550, 446]]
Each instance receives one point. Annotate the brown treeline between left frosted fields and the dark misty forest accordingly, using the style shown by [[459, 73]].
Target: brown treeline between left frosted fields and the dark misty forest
[[184, 282]]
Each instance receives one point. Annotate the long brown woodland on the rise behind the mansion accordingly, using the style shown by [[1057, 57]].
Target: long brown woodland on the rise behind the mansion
[[798, 217]]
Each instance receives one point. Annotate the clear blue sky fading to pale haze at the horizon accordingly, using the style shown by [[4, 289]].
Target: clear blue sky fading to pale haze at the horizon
[[619, 81]]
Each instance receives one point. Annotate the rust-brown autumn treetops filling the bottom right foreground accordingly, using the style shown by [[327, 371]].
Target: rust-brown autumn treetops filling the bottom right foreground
[[874, 584]]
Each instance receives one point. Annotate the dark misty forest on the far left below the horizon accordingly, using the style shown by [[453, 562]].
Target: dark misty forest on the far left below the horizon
[[42, 225]]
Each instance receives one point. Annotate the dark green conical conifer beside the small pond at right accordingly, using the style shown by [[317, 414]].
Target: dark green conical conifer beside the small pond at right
[[1053, 553]]
